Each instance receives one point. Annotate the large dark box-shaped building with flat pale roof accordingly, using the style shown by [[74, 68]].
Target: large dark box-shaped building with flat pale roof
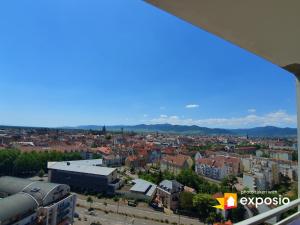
[[84, 176]]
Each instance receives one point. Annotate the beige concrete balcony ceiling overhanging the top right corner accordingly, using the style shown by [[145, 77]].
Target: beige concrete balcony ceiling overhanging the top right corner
[[268, 28]]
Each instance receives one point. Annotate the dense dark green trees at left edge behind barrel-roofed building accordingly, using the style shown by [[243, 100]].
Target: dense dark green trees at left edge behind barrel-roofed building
[[16, 163]]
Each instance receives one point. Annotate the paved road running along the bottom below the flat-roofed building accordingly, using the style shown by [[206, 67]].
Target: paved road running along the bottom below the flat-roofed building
[[141, 213]]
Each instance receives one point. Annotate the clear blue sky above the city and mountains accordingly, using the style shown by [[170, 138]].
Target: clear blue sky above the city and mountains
[[71, 62]]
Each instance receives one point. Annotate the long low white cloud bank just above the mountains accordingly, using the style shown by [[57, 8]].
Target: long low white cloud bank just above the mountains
[[279, 118]]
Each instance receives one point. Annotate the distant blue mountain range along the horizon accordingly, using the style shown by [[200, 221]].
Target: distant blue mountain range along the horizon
[[268, 131]]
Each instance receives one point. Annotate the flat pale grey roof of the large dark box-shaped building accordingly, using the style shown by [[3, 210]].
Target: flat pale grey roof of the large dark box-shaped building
[[79, 168]]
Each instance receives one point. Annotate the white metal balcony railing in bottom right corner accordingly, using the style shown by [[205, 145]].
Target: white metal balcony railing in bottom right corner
[[274, 213]]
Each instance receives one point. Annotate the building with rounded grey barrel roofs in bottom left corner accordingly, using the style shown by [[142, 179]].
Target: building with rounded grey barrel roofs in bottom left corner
[[26, 202]]
